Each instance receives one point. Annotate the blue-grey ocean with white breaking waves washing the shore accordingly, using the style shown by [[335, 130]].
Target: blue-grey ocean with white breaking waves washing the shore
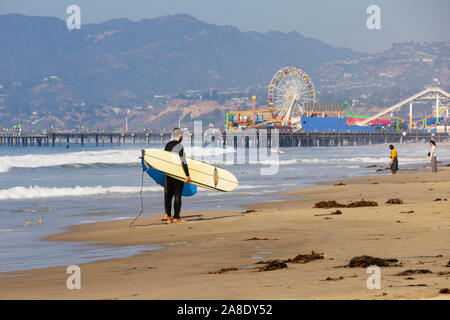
[[90, 184]]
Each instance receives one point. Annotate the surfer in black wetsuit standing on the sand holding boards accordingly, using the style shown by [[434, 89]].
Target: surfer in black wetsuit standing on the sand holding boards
[[173, 188]]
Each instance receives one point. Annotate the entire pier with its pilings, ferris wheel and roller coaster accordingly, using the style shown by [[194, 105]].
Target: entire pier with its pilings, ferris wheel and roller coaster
[[296, 118]]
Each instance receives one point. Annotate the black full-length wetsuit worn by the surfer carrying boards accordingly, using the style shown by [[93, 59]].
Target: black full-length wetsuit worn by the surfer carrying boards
[[173, 187]]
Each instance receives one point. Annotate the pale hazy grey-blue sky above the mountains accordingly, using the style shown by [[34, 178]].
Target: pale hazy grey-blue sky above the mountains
[[337, 22]]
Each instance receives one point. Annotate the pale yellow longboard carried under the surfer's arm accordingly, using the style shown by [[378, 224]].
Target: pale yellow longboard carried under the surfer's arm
[[202, 174]]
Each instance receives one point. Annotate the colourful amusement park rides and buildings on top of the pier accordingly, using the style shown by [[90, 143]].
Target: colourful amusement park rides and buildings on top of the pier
[[292, 106]]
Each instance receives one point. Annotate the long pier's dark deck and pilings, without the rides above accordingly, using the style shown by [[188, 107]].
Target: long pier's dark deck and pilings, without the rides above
[[285, 139]]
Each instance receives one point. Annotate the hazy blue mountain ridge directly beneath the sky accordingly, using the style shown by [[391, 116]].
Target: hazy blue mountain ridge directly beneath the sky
[[138, 59]]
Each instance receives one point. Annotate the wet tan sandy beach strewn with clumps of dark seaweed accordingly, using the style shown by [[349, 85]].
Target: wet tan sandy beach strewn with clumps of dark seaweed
[[416, 233]]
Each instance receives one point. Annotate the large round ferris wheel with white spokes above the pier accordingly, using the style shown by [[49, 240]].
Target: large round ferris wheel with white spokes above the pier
[[289, 89]]
